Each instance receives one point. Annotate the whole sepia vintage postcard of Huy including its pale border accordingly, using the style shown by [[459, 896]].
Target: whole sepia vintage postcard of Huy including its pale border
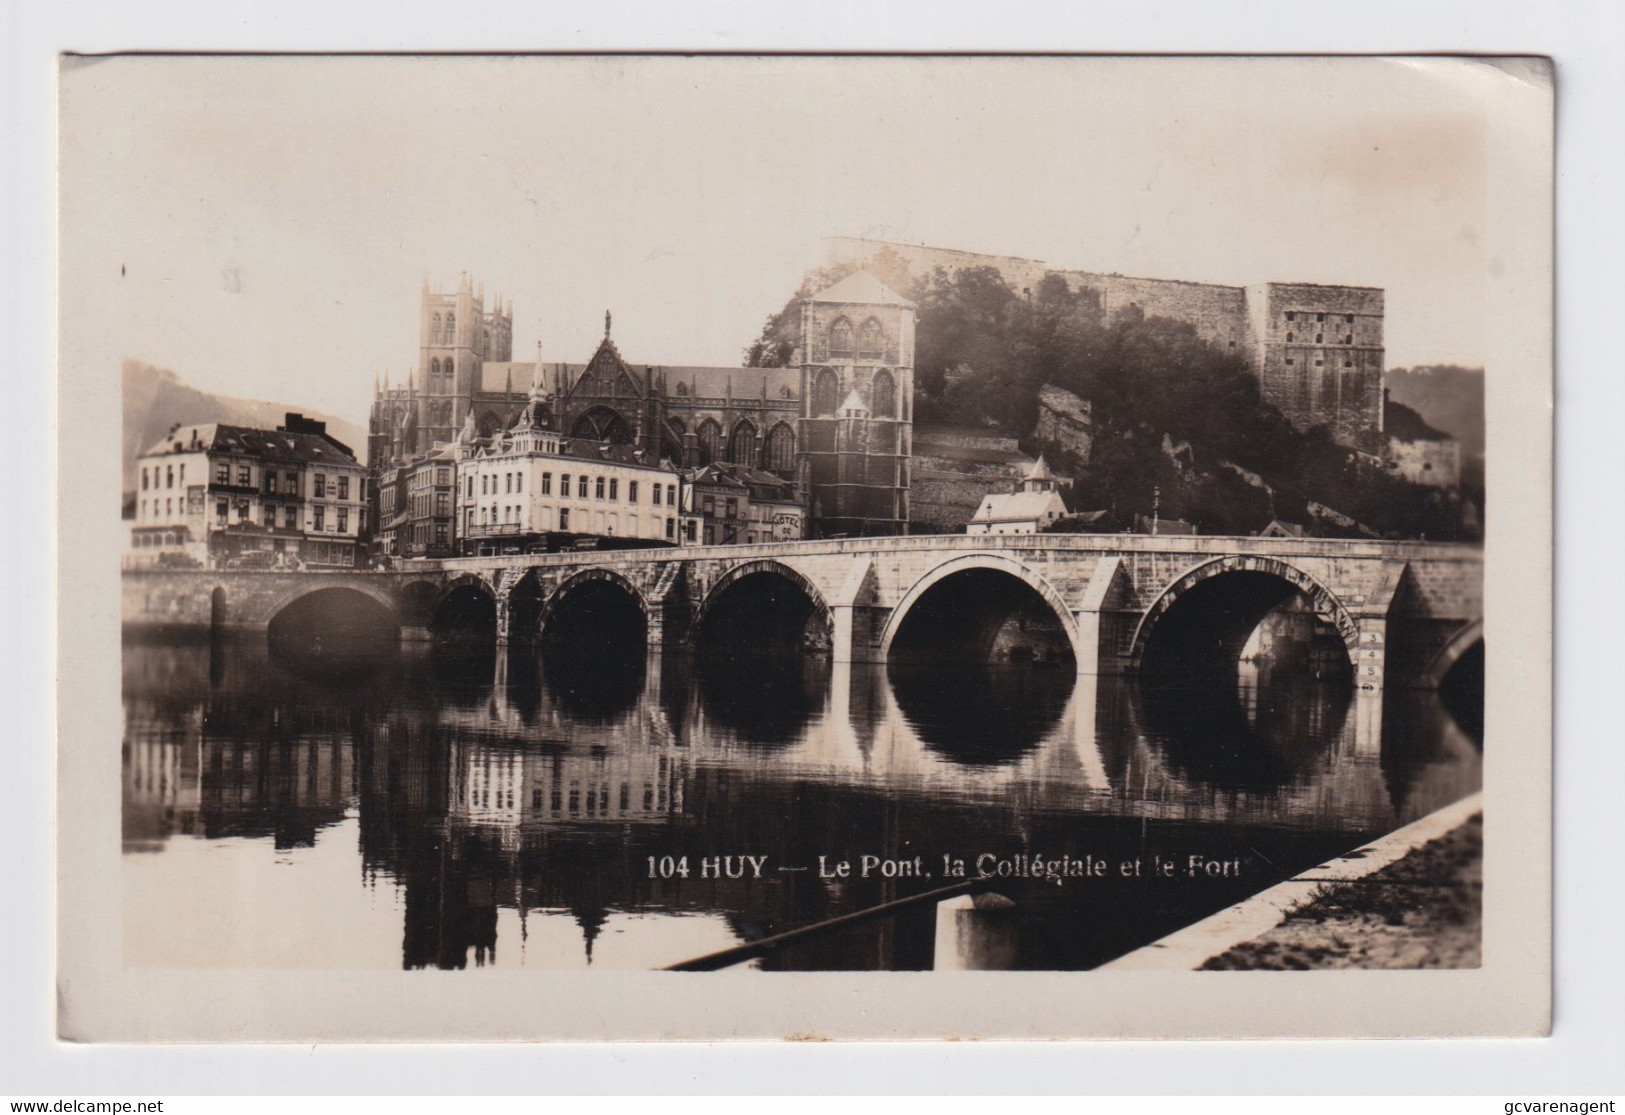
[[648, 547]]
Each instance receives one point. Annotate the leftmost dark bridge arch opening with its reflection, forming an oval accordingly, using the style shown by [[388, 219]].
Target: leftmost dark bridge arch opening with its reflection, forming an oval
[[334, 633]]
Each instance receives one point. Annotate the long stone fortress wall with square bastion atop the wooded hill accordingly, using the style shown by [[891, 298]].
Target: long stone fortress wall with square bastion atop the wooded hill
[[1317, 350]]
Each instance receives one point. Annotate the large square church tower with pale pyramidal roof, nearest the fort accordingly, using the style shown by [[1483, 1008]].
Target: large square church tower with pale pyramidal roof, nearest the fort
[[857, 407]]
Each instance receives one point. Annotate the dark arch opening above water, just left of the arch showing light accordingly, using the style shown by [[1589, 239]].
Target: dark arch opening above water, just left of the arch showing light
[[982, 617]]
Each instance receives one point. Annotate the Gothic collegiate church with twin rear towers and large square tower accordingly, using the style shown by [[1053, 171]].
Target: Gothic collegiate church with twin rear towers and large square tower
[[836, 422]]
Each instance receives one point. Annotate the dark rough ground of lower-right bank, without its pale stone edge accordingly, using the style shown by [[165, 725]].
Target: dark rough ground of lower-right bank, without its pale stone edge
[[1423, 913]]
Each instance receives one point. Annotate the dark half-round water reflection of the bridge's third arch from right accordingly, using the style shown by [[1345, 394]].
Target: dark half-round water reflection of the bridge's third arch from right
[[981, 714]]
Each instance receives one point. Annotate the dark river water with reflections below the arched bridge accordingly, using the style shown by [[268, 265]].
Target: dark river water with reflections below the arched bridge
[[453, 807]]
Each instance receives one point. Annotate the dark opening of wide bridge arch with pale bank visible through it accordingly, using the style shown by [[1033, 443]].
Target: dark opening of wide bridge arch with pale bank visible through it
[[1203, 636]]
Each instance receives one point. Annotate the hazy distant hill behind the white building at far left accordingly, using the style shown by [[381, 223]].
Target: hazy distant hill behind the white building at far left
[[155, 399]]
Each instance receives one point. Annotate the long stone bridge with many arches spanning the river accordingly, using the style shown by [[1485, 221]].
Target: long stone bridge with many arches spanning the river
[[1405, 612]]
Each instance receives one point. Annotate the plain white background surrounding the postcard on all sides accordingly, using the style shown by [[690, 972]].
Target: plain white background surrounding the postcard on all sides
[[1585, 1054]]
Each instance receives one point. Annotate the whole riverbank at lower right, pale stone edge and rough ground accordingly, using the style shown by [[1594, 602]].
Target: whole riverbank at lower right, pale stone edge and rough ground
[[1410, 900]]
